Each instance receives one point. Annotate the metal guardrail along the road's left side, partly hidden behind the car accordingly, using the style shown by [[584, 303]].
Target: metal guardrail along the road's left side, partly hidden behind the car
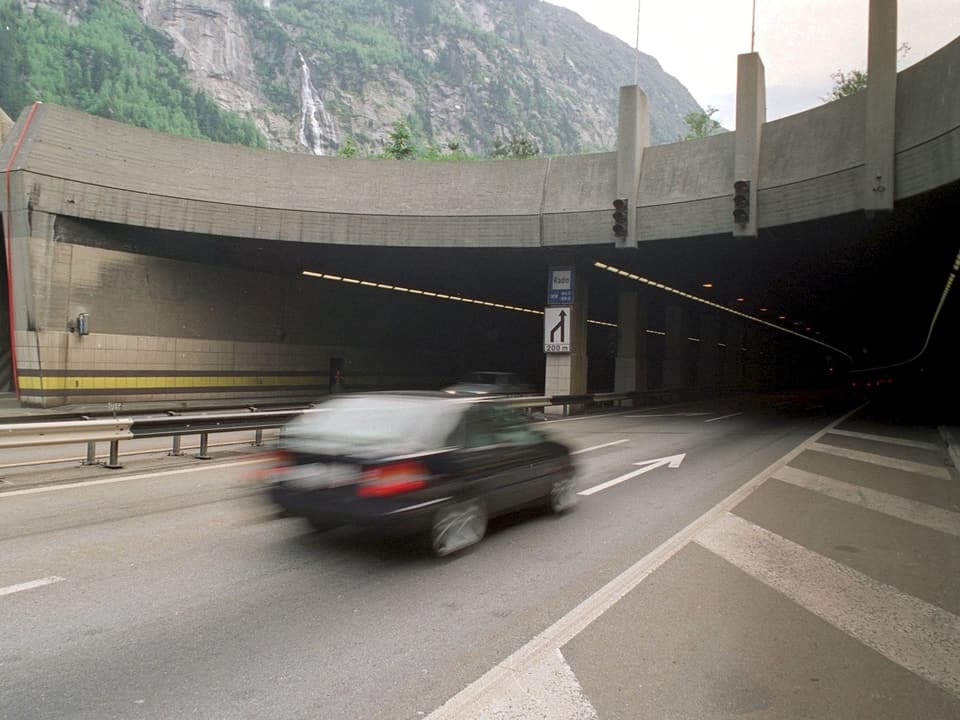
[[92, 431]]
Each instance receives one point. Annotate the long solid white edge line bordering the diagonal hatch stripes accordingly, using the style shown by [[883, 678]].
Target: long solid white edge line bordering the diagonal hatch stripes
[[499, 680]]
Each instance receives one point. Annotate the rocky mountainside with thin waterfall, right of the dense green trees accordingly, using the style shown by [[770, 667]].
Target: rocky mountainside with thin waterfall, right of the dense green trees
[[312, 73]]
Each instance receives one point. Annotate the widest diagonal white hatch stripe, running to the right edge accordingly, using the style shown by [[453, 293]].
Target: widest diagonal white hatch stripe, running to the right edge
[[916, 635]]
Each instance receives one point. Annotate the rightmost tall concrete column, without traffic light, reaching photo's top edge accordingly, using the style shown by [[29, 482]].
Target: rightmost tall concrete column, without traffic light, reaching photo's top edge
[[880, 121]]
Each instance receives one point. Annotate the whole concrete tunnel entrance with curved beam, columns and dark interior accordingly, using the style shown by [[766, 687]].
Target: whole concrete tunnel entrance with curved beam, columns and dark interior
[[185, 258]]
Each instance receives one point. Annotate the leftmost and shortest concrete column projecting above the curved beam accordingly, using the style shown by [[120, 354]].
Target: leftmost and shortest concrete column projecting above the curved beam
[[633, 135]]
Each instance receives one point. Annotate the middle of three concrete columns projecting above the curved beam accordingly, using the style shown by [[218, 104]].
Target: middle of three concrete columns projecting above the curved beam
[[751, 115]]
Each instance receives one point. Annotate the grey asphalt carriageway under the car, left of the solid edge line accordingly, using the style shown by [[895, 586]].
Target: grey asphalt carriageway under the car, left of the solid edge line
[[170, 589]]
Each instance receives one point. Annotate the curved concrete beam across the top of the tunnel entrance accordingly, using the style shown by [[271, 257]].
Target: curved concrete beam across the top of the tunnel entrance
[[811, 167]]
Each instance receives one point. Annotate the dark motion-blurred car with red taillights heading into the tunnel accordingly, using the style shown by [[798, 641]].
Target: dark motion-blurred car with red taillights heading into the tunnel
[[417, 463]]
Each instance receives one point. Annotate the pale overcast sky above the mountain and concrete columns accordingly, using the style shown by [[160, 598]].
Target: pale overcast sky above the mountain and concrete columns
[[800, 42]]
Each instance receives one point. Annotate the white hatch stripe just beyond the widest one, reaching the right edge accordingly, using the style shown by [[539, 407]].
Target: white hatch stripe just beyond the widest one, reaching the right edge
[[893, 505]]
